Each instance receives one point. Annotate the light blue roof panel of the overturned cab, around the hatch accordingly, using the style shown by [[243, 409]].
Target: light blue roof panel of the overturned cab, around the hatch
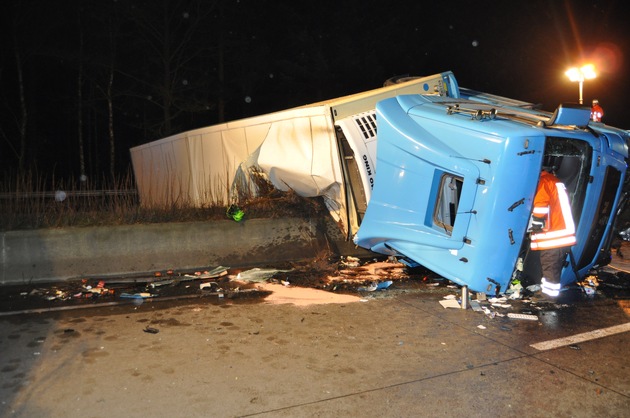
[[499, 162]]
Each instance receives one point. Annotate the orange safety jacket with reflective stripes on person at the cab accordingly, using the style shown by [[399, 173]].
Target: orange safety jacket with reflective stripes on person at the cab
[[552, 203]]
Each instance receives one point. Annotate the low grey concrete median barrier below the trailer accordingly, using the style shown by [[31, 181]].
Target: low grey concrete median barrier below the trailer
[[68, 253]]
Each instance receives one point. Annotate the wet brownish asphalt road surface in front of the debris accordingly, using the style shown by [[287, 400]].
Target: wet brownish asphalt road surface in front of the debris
[[395, 352]]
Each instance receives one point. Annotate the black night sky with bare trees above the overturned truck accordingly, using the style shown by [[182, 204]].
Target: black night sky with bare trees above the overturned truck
[[166, 66]]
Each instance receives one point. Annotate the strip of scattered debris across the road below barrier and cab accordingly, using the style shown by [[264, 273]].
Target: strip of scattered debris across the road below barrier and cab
[[369, 278]]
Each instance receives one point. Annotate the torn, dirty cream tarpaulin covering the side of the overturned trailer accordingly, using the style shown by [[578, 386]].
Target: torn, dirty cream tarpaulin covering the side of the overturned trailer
[[296, 149]]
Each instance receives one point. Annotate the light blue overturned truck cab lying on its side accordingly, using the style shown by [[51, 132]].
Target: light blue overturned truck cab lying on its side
[[456, 177]]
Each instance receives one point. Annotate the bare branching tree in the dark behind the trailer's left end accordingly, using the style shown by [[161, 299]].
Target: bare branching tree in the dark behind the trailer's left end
[[170, 78]]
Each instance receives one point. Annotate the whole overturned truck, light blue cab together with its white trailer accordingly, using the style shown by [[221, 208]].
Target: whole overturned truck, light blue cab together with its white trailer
[[421, 169]]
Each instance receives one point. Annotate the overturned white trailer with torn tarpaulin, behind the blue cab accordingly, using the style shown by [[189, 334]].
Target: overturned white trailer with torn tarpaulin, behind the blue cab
[[323, 149]]
